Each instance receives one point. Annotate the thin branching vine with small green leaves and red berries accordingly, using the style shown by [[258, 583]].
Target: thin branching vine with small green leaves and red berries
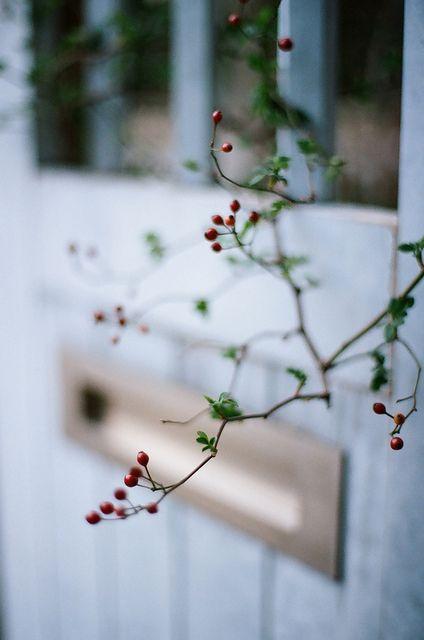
[[234, 233]]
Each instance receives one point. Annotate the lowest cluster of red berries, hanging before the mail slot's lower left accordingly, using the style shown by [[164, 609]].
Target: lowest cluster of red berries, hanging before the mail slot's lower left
[[131, 480]]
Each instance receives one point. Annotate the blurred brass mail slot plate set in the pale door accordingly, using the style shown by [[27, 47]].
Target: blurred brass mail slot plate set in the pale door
[[271, 480]]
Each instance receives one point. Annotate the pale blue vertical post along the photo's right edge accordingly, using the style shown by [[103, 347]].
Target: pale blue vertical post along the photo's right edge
[[402, 613]]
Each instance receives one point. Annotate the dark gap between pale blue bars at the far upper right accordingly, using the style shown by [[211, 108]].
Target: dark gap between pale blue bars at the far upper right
[[368, 108]]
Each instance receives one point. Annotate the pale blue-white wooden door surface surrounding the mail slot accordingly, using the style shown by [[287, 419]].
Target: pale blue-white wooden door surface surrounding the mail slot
[[149, 579]]
